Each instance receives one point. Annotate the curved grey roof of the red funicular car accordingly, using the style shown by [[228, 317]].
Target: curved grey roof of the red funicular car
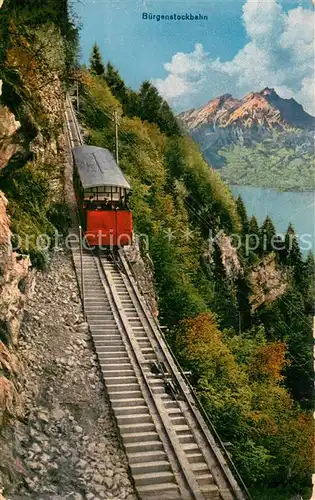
[[97, 167]]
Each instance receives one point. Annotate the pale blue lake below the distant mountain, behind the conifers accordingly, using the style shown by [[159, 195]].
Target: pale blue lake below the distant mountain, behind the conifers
[[283, 208]]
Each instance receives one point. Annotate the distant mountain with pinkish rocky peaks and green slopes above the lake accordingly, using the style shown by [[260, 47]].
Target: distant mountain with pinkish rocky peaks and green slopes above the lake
[[260, 140]]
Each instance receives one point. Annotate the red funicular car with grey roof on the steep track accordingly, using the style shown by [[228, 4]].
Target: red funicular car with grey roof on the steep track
[[102, 194]]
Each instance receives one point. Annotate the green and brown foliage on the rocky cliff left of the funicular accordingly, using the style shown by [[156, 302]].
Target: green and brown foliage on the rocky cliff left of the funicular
[[39, 47]]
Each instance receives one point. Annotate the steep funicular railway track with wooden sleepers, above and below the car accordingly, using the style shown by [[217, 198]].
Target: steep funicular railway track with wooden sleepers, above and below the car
[[171, 452]]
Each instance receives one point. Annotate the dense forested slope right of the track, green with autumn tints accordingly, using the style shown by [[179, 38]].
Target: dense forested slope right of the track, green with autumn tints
[[239, 321]]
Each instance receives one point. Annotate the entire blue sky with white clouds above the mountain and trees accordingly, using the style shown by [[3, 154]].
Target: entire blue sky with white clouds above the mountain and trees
[[244, 46]]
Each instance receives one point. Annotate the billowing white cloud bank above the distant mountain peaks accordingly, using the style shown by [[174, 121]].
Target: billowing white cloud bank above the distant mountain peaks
[[279, 54]]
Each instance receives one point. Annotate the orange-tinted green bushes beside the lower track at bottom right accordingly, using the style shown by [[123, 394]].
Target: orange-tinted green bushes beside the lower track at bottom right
[[239, 381]]
